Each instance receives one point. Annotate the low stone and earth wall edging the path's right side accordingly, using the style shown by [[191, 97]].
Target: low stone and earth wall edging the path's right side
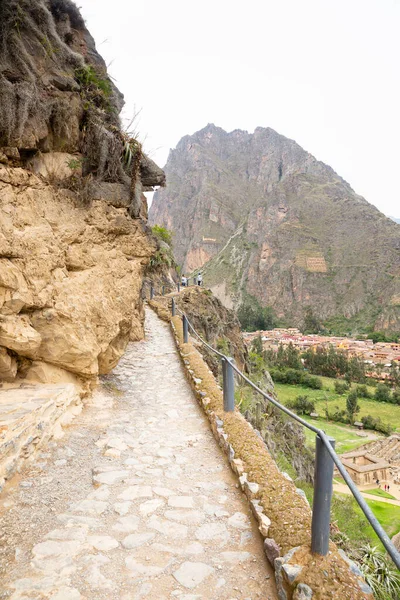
[[281, 510]]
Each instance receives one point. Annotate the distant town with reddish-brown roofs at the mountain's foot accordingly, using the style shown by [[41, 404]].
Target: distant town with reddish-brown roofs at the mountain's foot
[[378, 356]]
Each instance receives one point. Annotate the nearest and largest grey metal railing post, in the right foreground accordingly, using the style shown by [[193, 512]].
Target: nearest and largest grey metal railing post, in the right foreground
[[323, 487]]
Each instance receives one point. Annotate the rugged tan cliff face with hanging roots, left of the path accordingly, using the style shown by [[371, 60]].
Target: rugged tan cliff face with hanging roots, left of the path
[[74, 244]]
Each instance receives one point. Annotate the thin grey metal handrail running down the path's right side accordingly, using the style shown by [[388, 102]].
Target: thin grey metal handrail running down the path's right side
[[328, 444]]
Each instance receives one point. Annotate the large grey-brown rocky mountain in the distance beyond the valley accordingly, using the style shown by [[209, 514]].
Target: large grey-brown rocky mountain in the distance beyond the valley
[[270, 221]]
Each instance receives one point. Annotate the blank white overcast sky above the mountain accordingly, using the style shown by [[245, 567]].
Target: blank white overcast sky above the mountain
[[322, 72]]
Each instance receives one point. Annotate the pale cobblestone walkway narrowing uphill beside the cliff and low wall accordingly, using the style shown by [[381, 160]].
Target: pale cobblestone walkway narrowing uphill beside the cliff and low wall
[[137, 501]]
